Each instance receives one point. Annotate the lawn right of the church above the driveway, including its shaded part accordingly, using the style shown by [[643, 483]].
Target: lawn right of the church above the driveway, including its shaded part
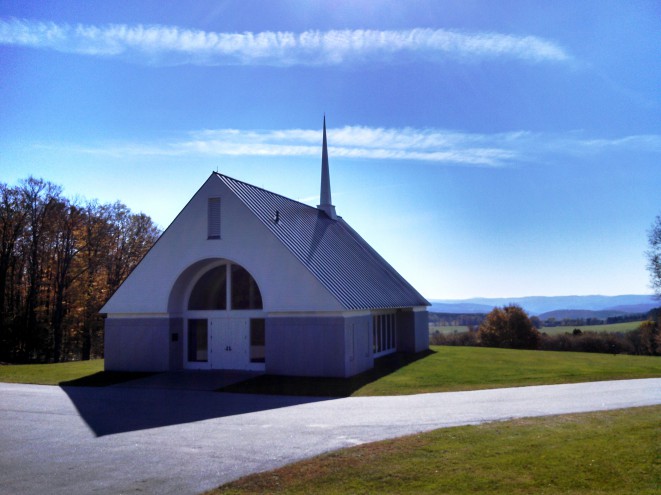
[[463, 368]]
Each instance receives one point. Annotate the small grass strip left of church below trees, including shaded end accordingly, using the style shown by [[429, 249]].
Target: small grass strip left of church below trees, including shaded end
[[74, 373]]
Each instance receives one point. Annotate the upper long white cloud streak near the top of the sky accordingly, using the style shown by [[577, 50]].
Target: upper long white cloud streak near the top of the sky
[[175, 45]]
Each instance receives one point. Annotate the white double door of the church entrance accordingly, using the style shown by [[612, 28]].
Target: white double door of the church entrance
[[229, 343]]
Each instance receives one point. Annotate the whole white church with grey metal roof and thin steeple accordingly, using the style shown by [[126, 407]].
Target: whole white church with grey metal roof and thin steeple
[[246, 279]]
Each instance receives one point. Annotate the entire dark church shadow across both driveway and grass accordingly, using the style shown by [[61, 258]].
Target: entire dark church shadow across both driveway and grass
[[126, 403]]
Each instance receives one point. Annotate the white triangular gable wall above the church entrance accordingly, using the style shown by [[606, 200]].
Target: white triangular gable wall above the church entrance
[[284, 283]]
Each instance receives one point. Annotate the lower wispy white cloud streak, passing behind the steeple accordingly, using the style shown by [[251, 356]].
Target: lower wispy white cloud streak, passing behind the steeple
[[434, 146]]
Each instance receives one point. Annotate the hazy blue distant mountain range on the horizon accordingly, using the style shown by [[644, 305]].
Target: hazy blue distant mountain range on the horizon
[[537, 305]]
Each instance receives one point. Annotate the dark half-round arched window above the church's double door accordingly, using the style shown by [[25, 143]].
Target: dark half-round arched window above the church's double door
[[210, 291]]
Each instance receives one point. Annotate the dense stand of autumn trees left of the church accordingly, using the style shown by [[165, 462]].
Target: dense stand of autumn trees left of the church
[[60, 260]]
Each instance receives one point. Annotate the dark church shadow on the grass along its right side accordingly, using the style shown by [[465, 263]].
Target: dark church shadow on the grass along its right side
[[324, 387]]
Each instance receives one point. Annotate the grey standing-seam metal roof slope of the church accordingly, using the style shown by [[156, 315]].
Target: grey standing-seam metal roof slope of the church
[[333, 252]]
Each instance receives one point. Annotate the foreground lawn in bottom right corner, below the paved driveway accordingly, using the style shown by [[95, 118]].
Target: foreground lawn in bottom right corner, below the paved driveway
[[614, 452]]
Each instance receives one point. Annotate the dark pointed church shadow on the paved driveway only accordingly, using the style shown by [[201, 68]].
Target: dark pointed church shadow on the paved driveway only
[[119, 409]]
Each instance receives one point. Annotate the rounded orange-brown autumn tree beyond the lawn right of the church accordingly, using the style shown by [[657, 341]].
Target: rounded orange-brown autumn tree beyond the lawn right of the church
[[509, 327]]
